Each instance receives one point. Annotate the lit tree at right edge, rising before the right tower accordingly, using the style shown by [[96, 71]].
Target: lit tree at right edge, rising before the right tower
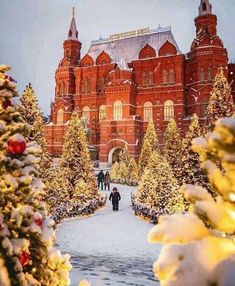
[[220, 103]]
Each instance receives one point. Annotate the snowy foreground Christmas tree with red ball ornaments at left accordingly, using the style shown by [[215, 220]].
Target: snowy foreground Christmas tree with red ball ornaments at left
[[26, 235]]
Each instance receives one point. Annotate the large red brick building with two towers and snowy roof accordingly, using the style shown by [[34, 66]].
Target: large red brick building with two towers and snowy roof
[[123, 81]]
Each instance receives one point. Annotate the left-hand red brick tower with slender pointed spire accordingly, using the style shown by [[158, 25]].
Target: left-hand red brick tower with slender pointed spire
[[62, 107]]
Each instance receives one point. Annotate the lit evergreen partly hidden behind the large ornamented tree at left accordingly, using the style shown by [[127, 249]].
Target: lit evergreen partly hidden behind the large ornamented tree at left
[[31, 113]]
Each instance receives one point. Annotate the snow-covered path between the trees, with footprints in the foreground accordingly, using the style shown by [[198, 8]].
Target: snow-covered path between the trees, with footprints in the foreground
[[110, 248]]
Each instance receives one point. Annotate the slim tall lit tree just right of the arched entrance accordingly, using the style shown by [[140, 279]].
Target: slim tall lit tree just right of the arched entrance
[[150, 143]]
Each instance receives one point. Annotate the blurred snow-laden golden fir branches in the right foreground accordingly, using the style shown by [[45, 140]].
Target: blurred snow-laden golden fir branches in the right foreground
[[209, 231]]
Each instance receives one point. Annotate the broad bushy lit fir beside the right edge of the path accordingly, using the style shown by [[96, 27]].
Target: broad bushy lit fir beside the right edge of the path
[[158, 188]]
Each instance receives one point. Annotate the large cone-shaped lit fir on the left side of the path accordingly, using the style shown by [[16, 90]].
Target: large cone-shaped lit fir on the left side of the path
[[75, 181]]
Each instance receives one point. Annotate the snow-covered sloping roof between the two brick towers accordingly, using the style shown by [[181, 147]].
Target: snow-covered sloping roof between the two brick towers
[[123, 49]]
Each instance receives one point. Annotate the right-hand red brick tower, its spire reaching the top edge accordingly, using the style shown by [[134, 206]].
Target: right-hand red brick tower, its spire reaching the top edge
[[202, 62]]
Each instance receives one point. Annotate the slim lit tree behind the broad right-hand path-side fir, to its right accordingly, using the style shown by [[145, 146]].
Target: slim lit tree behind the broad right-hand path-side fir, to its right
[[172, 146]]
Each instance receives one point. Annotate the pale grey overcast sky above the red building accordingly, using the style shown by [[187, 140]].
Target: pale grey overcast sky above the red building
[[33, 31]]
